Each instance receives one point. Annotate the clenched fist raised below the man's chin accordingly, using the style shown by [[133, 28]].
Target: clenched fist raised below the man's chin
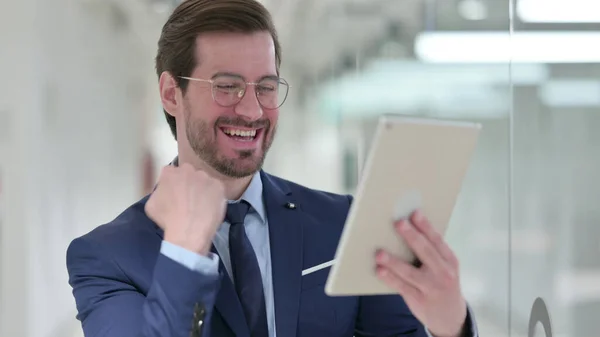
[[189, 206]]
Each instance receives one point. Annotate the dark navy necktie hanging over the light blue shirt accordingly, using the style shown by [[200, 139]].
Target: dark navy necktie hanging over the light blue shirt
[[246, 273]]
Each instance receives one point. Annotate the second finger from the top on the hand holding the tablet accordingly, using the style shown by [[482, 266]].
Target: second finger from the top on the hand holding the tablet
[[420, 245]]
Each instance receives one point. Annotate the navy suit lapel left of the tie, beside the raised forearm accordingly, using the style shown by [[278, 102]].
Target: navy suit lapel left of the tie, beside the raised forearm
[[228, 303]]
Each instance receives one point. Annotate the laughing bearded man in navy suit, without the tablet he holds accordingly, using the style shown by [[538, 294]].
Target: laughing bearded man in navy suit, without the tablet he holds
[[218, 248]]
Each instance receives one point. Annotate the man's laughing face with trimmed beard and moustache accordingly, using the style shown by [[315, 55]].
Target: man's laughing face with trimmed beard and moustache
[[233, 140]]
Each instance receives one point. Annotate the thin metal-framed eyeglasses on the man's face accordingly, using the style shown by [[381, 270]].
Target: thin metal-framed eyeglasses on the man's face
[[271, 92]]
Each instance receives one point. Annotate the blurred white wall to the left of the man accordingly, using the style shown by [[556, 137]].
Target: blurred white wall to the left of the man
[[73, 94]]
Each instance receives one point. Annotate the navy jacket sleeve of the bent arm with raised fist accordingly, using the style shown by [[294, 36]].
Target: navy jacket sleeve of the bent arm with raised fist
[[179, 302]]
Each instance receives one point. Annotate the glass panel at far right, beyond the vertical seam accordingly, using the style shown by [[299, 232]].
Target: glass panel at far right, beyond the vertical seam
[[555, 264]]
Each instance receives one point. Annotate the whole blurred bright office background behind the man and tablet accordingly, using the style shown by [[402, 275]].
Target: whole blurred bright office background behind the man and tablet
[[82, 135]]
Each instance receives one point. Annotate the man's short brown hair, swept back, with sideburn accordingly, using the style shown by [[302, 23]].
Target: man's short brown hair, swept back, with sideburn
[[191, 18]]
